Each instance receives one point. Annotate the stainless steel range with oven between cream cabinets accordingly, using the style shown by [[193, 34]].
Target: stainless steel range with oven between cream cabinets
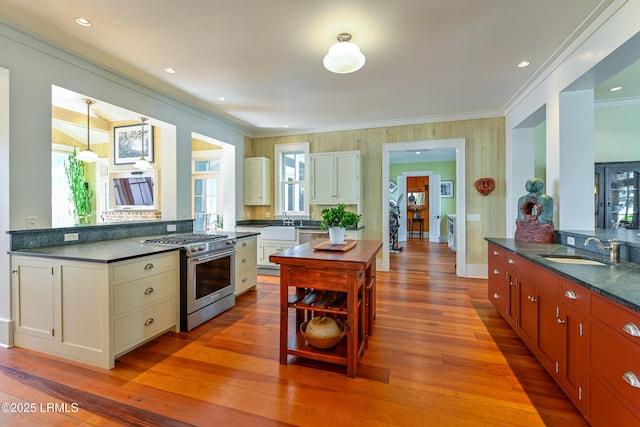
[[207, 282]]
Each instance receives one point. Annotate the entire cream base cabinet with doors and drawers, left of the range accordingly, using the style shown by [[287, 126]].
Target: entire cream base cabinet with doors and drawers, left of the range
[[94, 312]]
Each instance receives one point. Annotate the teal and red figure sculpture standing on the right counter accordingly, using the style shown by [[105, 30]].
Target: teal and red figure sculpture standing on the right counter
[[535, 214]]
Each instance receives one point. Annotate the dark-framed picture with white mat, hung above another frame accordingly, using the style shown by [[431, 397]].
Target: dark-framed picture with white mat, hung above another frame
[[129, 146]]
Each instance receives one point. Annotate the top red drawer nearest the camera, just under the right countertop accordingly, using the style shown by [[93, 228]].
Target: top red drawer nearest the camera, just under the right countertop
[[625, 322]]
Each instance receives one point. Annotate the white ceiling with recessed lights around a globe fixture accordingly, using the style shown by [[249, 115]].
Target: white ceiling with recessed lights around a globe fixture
[[426, 59]]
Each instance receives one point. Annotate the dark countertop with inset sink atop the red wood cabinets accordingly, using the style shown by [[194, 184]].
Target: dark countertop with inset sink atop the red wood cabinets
[[619, 282]]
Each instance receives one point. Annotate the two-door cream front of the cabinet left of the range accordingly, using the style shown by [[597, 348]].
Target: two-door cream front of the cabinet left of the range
[[61, 307]]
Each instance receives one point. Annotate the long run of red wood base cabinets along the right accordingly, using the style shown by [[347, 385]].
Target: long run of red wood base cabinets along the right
[[588, 343]]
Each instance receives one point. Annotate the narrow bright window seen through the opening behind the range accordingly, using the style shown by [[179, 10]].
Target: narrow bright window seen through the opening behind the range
[[207, 194]]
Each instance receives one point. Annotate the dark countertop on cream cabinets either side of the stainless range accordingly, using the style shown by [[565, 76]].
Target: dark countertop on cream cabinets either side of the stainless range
[[108, 251]]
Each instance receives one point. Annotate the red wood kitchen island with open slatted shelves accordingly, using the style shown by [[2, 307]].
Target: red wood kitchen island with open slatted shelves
[[351, 272]]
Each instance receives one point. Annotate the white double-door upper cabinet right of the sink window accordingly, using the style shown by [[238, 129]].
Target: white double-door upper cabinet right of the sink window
[[335, 178]]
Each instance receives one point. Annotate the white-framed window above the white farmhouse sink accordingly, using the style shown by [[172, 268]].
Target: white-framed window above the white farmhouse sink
[[291, 178]]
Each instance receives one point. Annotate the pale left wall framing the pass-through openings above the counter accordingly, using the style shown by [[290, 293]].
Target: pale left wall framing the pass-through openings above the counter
[[25, 151]]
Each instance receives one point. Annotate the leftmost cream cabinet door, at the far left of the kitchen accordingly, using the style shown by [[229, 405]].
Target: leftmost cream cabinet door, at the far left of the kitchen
[[33, 293]]
